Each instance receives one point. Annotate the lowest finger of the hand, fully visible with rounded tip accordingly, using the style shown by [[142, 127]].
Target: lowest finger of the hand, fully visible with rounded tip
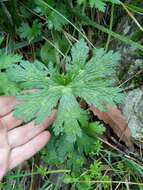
[[26, 151]]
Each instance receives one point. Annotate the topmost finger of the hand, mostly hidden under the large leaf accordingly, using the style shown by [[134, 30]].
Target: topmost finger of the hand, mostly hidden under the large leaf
[[7, 104]]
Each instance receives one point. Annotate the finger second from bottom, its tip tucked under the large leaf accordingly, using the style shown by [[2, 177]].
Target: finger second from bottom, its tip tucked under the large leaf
[[23, 134]]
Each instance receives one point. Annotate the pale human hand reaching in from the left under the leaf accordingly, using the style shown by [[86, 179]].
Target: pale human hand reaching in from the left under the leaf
[[18, 141]]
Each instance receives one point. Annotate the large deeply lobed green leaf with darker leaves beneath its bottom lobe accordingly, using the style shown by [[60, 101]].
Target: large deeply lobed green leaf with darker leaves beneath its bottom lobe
[[82, 79]]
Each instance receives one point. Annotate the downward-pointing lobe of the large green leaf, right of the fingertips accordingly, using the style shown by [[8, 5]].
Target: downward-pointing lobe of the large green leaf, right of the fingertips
[[69, 117]]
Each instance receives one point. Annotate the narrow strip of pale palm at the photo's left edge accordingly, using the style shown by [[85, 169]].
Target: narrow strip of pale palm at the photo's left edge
[[4, 151]]
